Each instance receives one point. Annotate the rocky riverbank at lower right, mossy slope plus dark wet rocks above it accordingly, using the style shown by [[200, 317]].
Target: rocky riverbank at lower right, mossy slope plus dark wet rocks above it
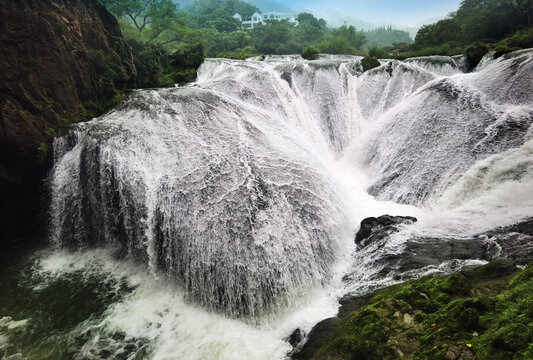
[[481, 313]]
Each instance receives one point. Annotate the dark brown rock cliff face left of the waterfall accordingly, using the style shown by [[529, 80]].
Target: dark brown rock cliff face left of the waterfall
[[61, 61]]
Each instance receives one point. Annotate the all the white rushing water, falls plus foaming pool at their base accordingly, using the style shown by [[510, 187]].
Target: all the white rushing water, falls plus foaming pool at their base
[[242, 193]]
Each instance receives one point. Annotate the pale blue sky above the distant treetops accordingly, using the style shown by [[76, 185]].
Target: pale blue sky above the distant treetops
[[399, 12]]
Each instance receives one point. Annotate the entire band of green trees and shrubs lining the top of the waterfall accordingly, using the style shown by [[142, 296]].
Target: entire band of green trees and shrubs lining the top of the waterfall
[[162, 32]]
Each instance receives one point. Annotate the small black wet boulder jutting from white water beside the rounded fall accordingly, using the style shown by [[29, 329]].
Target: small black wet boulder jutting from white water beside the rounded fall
[[374, 229]]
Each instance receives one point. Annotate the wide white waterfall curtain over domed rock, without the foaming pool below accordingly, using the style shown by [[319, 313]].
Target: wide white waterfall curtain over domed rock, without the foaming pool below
[[231, 185]]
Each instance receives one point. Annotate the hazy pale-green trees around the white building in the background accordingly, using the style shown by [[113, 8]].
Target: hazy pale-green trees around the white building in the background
[[211, 24]]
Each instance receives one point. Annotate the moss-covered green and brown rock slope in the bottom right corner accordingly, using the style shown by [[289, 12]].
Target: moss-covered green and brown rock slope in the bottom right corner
[[488, 317]]
